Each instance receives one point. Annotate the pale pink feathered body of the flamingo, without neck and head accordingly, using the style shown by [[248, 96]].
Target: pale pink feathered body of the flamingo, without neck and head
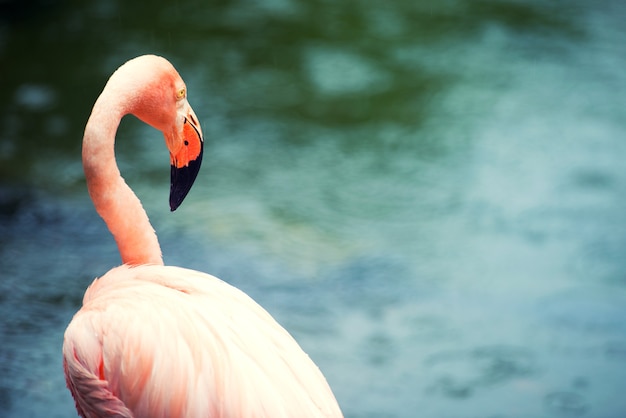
[[158, 341]]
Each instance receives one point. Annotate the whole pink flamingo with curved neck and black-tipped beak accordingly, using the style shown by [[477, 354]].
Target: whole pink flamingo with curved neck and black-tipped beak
[[158, 341]]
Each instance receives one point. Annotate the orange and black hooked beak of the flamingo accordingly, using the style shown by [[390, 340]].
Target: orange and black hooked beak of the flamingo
[[186, 160]]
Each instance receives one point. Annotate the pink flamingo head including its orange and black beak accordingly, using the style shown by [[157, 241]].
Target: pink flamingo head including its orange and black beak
[[162, 103]]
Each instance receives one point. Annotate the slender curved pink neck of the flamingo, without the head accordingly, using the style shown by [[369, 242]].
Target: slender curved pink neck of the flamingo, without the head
[[114, 200]]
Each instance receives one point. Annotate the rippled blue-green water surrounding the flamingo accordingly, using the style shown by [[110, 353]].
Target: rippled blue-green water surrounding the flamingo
[[430, 198]]
